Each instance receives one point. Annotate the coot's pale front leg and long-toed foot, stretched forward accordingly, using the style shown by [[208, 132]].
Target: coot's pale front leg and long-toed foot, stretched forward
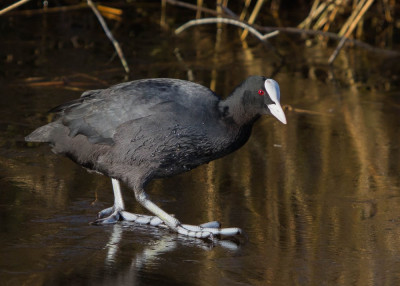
[[208, 230]]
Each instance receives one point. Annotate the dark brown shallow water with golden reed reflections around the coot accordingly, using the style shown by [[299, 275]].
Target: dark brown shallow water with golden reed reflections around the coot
[[319, 198]]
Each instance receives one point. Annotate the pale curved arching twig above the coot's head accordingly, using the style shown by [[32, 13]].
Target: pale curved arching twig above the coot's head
[[260, 36]]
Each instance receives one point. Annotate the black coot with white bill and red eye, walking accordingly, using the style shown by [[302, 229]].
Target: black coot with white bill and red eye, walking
[[153, 128]]
